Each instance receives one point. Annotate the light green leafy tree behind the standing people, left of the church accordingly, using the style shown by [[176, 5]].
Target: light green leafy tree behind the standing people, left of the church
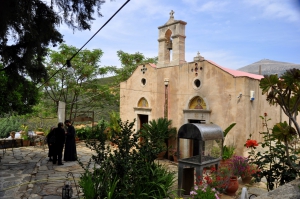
[[79, 89]]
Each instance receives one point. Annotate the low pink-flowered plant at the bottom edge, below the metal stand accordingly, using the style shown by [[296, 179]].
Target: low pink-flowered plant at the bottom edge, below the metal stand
[[204, 191]]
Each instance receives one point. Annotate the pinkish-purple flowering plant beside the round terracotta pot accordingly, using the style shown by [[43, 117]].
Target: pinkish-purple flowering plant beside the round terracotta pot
[[242, 167]]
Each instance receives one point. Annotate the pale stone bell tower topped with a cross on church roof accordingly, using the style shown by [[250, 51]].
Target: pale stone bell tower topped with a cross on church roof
[[171, 49]]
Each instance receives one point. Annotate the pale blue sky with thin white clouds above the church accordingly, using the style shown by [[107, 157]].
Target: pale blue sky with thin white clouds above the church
[[231, 33]]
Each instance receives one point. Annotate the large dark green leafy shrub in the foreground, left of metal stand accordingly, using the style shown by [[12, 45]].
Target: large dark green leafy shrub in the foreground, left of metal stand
[[128, 171]]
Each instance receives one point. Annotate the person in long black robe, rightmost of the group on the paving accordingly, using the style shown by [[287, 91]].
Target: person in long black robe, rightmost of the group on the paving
[[70, 153]]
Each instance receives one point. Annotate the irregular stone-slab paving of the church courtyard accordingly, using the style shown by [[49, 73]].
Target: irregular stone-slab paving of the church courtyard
[[28, 175]]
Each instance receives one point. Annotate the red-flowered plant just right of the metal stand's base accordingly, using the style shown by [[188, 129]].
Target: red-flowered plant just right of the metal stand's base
[[217, 179]]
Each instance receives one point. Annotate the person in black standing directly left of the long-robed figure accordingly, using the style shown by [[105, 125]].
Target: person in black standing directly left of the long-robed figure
[[59, 143]]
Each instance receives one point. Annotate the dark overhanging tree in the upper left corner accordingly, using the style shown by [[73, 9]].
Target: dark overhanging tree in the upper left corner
[[27, 28]]
